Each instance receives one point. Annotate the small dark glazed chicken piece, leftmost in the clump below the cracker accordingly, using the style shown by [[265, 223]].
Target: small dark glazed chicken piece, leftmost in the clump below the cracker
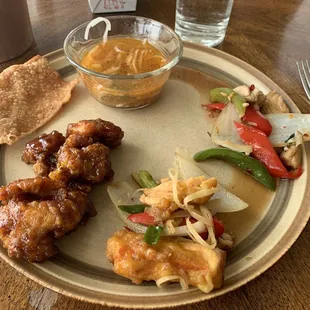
[[42, 151]]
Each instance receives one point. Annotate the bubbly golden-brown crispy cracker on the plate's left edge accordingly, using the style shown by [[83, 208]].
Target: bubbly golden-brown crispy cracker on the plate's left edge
[[30, 95]]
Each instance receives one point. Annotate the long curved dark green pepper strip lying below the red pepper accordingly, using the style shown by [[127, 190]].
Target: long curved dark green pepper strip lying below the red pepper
[[249, 165]]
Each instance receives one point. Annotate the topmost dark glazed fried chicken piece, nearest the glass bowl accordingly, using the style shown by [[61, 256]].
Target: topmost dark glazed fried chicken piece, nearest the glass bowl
[[95, 131]]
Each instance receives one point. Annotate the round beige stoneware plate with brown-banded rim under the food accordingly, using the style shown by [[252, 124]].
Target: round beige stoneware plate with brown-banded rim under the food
[[264, 231]]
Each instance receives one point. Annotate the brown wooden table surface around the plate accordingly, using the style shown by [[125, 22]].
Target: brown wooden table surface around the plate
[[270, 35]]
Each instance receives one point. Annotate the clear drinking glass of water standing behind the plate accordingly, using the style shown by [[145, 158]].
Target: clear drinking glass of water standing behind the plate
[[203, 21]]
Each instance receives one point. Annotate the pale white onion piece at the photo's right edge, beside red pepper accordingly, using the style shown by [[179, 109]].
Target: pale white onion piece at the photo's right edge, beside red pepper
[[286, 124]]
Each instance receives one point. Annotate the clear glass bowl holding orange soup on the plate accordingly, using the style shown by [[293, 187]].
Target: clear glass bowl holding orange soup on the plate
[[125, 91]]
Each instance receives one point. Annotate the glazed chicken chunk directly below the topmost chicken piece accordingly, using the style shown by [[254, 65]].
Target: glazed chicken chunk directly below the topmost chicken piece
[[88, 164]]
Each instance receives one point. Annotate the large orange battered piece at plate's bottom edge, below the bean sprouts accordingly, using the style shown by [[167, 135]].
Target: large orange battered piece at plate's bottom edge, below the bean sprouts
[[136, 260]]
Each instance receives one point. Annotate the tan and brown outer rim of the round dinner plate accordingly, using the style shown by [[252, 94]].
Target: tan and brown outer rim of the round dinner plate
[[267, 261]]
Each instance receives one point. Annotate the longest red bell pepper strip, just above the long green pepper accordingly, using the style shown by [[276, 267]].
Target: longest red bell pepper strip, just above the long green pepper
[[264, 151]]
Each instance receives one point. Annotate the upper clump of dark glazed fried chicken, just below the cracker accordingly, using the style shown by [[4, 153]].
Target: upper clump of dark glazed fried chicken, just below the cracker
[[82, 156]]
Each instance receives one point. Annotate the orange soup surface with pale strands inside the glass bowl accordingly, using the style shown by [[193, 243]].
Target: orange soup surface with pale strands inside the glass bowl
[[124, 56]]
